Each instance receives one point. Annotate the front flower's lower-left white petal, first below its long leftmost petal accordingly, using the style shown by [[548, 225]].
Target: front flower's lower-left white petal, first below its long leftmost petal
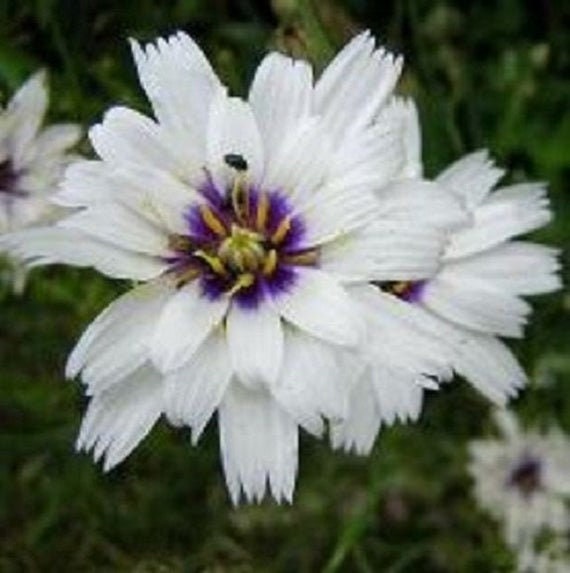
[[116, 343]]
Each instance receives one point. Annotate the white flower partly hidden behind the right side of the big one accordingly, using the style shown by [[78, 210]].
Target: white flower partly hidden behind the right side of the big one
[[450, 321]]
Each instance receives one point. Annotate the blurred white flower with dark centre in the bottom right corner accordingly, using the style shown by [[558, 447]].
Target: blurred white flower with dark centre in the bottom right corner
[[523, 480]]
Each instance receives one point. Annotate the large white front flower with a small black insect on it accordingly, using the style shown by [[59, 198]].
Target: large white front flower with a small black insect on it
[[250, 223]]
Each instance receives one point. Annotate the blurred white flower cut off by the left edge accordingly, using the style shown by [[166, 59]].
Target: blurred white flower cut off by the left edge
[[32, 160]]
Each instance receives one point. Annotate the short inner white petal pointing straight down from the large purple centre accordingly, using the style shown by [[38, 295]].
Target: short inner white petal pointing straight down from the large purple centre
[[255, 339]]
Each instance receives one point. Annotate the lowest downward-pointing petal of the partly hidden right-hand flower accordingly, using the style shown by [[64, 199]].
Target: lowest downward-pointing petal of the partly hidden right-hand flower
[[359, 431]]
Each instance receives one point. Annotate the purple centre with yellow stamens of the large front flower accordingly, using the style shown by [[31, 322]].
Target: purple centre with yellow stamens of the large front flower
[[242, 242]]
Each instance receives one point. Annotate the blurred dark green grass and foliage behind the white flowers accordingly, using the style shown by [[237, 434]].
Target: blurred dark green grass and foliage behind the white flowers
[[493, 74]]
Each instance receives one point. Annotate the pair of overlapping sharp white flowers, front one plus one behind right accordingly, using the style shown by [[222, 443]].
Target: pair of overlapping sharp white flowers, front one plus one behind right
[[294, 268]]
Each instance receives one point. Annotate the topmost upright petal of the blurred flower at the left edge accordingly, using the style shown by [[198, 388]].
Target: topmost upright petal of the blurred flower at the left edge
[[24, 115]]
